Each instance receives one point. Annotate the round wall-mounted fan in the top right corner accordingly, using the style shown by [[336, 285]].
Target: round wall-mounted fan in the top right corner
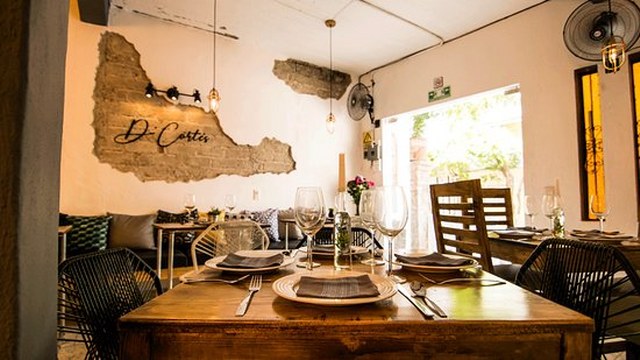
[[592, 24]]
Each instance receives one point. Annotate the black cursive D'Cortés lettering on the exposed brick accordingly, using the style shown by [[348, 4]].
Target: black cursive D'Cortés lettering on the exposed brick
[[167, 136]]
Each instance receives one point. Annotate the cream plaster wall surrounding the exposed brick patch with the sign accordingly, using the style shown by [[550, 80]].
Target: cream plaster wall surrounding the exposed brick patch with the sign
[[255, 104]]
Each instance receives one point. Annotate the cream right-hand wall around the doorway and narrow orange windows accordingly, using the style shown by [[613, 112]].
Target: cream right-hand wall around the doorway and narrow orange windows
[[528, 49]]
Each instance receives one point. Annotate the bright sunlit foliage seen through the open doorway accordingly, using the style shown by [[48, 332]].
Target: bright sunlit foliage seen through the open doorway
[[473, 139]]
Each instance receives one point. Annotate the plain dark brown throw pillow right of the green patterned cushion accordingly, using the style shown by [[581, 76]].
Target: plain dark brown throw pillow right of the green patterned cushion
[[131, 231]]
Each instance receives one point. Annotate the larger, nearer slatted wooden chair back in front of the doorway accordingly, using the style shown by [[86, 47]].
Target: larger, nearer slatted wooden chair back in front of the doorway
[[459, 220]]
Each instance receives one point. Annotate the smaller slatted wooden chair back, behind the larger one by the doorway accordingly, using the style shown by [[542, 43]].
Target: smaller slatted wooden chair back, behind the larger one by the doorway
[[498, 209]]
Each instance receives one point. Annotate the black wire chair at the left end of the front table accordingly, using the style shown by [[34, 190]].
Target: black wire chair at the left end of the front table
[[96, 289]]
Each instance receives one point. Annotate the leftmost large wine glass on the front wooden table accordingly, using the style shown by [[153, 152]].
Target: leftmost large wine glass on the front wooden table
[[310, 214]]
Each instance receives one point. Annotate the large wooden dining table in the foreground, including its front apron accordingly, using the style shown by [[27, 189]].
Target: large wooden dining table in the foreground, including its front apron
[[198, 321]]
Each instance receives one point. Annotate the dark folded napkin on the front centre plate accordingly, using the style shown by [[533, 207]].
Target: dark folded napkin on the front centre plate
[[337, 288]]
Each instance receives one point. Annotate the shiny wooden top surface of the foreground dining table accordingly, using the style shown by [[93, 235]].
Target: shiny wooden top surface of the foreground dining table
[[215, 303]]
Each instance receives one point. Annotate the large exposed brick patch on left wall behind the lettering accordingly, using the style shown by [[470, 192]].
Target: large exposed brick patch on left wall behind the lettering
[[133, 132]]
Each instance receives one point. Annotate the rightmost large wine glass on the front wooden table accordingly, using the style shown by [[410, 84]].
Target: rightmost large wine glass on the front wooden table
[[390, 217]]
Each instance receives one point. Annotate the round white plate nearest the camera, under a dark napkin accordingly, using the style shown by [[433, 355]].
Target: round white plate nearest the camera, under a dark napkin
[[287, 286]]
